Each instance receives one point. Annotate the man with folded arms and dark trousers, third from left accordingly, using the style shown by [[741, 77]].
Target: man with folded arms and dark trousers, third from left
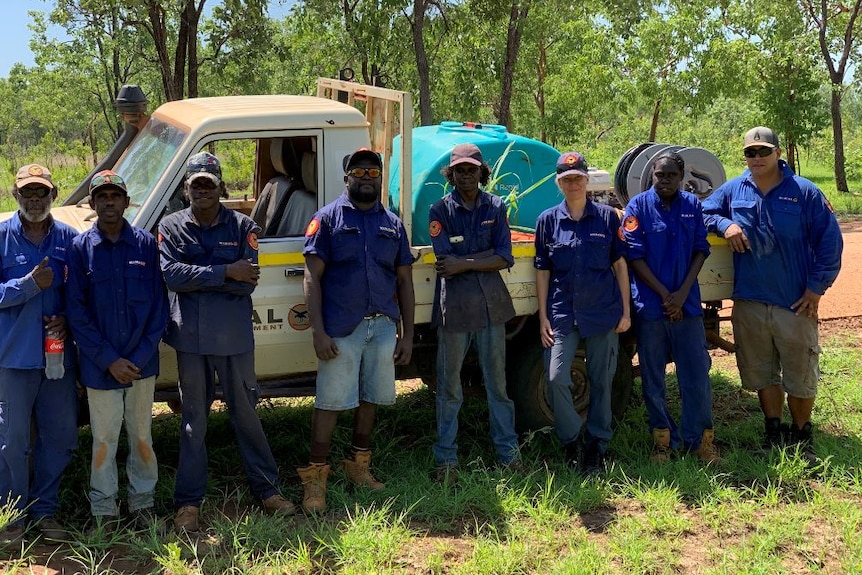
[[209, 260]]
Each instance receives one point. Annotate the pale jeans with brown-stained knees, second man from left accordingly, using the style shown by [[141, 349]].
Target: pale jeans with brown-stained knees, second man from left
[[109, 408]]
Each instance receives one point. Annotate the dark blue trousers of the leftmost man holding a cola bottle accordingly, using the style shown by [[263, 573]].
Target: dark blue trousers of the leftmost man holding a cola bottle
[[27, 396]]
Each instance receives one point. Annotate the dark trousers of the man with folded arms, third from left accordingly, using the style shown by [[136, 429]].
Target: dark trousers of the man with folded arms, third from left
[[197, 391]]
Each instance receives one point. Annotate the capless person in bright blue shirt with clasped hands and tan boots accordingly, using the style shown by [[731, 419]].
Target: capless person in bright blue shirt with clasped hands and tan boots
[[666, 242]]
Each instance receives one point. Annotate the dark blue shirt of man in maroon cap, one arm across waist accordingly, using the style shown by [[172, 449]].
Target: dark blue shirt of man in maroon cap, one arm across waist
[[472, 300]]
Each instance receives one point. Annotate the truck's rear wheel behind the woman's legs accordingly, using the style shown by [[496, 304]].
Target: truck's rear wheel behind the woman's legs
[[529, 390]]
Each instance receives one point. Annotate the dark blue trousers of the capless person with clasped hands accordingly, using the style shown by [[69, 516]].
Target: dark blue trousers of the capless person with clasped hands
[[685, 342]]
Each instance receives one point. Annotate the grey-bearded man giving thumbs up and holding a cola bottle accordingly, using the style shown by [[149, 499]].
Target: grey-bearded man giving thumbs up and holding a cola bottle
[[34, 248]]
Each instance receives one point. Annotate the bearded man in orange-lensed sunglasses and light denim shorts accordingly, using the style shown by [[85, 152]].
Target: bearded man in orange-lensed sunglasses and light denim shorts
[[359, 292]]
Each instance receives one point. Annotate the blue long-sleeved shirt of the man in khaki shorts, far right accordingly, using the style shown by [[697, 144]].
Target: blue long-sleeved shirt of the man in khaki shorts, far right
[[795, 242]]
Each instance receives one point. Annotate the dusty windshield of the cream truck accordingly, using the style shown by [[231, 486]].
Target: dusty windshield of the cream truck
[[146, 161]]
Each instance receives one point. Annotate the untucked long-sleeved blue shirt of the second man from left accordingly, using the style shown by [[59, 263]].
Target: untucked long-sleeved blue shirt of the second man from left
[[117, 303]]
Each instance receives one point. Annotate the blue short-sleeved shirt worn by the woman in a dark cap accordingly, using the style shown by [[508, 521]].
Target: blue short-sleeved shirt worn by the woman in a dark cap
[[579, 255]]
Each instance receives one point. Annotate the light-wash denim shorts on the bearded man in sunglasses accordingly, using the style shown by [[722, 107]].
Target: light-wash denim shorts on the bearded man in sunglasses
[[363, 370]]
